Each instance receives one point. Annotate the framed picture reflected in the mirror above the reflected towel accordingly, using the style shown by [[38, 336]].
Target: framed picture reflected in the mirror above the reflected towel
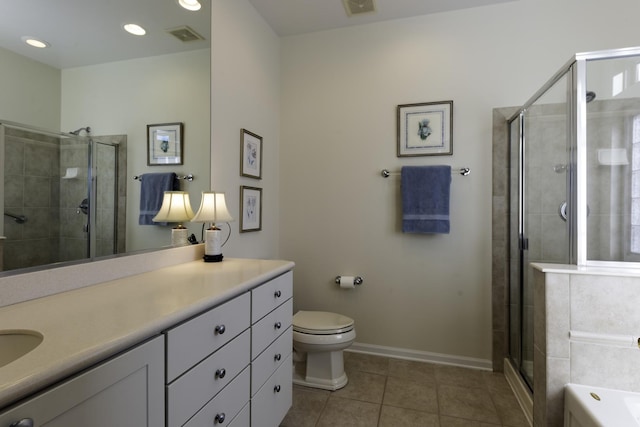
[[165, 144]]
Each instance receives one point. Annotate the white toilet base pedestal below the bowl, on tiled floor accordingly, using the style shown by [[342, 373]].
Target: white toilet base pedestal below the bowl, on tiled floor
[[321, 370]]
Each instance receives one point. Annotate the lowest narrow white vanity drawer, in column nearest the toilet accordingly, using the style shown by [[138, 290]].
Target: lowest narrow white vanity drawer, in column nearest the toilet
[[273, 400]]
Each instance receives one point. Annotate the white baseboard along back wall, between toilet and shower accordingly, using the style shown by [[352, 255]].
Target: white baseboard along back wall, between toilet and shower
[[421, 356]]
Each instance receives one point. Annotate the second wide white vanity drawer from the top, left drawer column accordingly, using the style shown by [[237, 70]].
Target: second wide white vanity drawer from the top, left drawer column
[[190, 392]]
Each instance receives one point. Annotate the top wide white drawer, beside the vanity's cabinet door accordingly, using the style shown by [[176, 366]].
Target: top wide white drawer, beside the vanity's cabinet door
[[194, 340]]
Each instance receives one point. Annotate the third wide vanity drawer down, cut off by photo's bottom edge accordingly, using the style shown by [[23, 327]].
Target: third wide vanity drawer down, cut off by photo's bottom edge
[[225, 406]]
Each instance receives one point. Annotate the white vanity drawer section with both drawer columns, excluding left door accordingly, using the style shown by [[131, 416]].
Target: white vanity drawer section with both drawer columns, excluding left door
[[233, 362]]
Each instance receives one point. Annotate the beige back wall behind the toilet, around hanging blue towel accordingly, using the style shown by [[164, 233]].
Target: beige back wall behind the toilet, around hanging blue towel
[[423, 296]]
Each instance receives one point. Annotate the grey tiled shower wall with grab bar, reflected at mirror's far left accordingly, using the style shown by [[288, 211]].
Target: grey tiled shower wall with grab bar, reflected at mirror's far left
[[31, 189]]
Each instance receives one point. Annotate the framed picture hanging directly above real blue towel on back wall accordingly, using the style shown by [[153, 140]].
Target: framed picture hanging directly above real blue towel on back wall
[[425, 129]]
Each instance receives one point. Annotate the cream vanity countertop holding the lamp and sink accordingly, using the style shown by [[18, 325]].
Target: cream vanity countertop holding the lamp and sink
[[87, 325]]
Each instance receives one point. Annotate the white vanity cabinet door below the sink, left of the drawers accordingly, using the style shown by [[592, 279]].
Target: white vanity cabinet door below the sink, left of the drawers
[[124, 391]]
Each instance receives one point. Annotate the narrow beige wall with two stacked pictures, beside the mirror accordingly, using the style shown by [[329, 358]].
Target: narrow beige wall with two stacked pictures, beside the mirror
[[245, 89]]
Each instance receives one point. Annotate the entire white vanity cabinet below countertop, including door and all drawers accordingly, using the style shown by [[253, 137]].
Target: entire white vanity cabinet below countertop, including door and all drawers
[[229, 365]]
